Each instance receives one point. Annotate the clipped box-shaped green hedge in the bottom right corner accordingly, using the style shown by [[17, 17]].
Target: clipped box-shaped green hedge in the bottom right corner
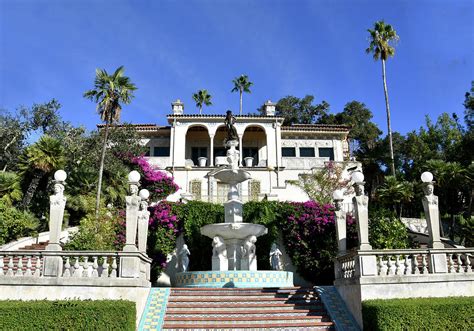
[[454, 313]]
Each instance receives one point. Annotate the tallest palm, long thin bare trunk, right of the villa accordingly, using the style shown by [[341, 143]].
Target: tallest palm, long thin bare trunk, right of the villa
[[381, 38]]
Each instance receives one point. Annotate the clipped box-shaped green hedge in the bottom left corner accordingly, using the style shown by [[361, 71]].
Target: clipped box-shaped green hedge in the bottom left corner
[[67, 315]]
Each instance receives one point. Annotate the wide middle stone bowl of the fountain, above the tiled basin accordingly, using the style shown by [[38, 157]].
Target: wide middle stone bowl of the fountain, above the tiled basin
[[233, 230]]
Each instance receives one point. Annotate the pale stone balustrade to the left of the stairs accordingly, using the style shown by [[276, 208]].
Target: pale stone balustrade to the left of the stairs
[[75, 264]]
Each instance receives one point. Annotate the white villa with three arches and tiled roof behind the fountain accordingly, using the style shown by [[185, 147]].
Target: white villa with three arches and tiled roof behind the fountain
[[191, 148]]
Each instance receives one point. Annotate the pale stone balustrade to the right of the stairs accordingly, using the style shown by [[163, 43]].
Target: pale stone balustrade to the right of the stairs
[[406, 262]]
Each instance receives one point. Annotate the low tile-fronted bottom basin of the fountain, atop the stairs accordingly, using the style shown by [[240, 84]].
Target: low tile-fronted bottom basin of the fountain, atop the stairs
[[235, 278]]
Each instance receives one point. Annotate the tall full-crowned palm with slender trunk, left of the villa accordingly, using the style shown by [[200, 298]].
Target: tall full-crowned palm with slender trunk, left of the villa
[[109, 91]]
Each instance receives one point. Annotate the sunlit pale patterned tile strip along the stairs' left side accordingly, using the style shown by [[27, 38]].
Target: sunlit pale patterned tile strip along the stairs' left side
[[155, 309]]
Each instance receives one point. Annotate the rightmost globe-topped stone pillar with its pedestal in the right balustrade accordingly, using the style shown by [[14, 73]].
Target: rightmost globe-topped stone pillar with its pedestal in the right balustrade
[[438, 262]]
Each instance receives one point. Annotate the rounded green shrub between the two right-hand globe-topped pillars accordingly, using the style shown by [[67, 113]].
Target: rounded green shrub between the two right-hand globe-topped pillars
[[386, 231]]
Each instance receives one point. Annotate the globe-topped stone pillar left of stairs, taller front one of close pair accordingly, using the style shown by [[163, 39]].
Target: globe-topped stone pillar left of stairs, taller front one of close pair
[[129, 266]]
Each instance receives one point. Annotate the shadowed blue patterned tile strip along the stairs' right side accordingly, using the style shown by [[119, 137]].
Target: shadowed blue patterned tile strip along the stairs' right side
[[337, 310]]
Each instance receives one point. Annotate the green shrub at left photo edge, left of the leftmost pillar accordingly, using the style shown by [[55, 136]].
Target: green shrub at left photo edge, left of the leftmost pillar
[[15, 223]]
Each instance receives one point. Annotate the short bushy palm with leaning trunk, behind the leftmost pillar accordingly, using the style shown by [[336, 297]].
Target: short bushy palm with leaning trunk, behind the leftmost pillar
[[41, 158]]
